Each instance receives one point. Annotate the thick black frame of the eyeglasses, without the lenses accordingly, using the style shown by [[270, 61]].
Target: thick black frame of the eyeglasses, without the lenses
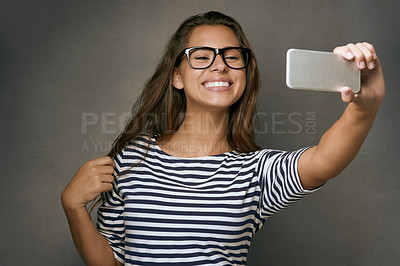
[[217, 51]]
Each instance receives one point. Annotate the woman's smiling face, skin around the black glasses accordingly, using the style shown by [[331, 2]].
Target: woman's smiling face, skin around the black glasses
[[216, 87]]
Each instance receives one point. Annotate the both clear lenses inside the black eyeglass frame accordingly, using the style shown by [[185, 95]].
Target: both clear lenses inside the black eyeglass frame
[[203, 58]]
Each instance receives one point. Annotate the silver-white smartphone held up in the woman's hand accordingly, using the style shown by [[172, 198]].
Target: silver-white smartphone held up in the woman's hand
[[320, 71]]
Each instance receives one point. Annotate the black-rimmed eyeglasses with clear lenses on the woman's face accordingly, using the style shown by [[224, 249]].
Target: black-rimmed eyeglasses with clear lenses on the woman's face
[[204, 57]]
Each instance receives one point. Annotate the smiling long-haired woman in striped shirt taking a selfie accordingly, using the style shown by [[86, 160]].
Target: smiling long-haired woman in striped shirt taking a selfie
[[185, 182]]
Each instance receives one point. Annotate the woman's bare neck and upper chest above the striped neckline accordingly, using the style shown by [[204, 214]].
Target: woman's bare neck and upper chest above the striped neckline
[[200, 134]]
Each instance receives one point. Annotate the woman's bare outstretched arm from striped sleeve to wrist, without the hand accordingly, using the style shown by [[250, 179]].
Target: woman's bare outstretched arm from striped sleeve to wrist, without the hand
[[337, 147]]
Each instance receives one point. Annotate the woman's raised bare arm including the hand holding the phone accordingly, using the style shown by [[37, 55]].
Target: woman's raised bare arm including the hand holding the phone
[[341, 143]]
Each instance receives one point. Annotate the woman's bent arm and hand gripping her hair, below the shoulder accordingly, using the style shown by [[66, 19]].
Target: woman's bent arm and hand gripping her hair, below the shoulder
[[93, 178]]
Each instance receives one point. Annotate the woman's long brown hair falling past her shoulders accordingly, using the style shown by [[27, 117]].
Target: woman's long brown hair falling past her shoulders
[[160, 109]]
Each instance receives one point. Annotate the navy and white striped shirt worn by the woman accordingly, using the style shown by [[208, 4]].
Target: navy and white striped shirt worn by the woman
[[168, 210]]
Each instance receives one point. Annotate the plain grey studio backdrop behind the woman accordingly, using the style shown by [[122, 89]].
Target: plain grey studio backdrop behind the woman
[[71, 70]]
